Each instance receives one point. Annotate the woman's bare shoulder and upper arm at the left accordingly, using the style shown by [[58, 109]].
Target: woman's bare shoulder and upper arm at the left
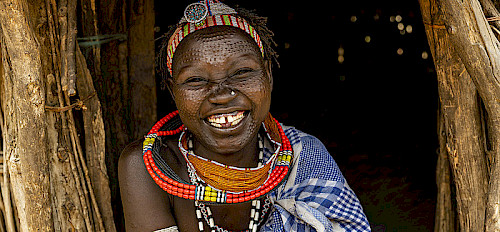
[[145, 205]]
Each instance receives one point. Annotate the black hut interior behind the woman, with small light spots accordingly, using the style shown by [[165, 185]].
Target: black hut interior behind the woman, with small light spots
[[375, 112]]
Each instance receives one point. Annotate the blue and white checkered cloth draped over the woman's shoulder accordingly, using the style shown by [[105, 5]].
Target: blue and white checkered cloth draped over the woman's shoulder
[[316, 196]]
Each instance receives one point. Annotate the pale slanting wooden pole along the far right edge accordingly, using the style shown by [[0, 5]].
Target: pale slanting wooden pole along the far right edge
[[478, 48]]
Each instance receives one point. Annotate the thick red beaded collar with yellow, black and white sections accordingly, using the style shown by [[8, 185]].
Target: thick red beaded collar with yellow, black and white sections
[[169, 181]]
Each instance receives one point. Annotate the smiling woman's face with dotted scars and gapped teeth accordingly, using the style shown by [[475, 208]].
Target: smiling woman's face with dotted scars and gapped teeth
[[221, 87]]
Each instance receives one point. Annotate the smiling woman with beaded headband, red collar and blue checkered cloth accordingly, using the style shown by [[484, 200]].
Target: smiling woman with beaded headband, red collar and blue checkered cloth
[[222, 162]]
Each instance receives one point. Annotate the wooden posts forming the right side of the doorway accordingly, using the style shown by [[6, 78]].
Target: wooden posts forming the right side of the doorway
[[466, 54]]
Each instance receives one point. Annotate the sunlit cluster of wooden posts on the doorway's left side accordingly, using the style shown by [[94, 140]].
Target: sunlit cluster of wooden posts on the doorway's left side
[[52, 187]]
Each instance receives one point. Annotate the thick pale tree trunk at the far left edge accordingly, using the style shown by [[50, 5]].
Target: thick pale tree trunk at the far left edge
[[26, 150]]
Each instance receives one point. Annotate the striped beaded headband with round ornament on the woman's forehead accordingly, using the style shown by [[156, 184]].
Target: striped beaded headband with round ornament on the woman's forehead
[[203, 14]]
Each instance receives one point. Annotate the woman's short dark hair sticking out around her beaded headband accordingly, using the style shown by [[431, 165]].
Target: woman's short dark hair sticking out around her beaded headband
[[258, 22]]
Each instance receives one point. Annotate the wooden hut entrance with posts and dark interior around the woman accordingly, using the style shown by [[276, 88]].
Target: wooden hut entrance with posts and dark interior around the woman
[[77, 83]]
